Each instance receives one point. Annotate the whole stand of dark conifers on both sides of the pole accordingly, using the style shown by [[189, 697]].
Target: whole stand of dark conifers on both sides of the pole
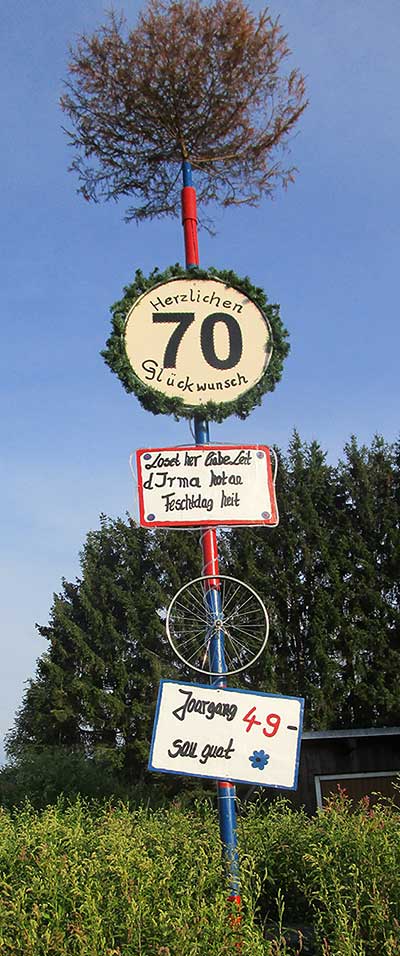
[[328, 573]]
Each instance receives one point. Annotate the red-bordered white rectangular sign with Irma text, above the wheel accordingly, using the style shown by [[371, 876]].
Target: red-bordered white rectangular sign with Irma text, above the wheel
[[206, 485]]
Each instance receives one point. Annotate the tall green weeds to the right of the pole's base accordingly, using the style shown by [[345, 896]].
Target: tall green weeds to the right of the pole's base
[[338, 872]]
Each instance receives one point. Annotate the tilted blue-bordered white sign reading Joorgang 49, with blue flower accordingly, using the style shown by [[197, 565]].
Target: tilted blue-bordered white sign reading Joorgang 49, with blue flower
[[227, 734]]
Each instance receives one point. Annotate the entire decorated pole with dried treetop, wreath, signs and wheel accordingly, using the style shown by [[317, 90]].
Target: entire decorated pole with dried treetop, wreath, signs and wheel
[[198, 344]]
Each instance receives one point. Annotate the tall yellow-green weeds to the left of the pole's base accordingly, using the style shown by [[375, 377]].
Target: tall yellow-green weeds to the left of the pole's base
[[113, 882]]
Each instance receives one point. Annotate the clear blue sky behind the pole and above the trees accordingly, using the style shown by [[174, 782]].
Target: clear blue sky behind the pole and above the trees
[[327, 250]]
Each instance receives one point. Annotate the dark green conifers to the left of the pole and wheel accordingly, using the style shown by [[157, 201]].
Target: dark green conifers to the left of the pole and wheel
[[96, 686]]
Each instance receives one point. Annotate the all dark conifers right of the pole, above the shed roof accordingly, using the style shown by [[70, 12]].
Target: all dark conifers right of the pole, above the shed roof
[[329, 575]]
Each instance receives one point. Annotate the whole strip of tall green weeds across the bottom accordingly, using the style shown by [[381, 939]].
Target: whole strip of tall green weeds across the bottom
[[93, 880]]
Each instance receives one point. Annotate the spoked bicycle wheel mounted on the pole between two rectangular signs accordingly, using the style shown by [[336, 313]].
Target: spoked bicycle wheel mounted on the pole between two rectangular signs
[[199, 612]]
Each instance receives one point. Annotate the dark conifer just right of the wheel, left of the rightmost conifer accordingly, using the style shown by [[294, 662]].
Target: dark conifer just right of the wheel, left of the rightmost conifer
[[293, 569]]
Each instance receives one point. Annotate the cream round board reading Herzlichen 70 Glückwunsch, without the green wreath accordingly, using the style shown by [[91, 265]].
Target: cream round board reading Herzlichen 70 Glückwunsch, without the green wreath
[[198, 340]]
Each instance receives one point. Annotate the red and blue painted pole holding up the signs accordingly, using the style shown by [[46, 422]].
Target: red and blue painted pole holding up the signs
[[226, 791]]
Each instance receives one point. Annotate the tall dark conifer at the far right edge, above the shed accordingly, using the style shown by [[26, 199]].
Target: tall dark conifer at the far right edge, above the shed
[[368, 550]]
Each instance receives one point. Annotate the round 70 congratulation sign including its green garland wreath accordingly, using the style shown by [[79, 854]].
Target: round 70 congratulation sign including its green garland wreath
[[192, 342]]
